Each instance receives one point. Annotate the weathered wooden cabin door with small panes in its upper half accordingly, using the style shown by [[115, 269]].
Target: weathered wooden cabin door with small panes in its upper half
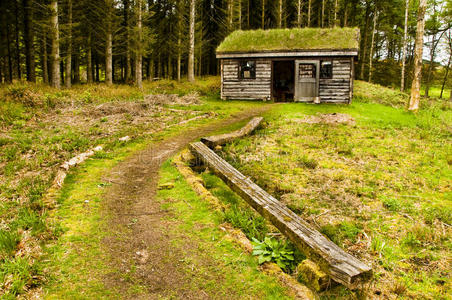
[[306, 80]]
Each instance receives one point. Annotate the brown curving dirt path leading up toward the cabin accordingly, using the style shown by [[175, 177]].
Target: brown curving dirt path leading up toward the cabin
[[140, 239]]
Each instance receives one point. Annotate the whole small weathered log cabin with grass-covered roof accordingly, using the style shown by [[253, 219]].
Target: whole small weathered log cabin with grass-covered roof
[[299, 64]]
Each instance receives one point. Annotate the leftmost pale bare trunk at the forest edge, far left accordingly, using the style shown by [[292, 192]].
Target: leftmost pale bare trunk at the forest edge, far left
[[56, 77]]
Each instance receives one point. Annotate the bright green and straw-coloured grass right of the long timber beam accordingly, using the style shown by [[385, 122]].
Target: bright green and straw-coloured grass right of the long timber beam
[[380, 189]]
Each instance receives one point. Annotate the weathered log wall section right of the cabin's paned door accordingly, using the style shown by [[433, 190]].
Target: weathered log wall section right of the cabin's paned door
[[339, 89]]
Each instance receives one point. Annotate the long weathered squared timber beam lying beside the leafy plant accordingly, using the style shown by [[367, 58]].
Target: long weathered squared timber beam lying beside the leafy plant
[[341, 266]]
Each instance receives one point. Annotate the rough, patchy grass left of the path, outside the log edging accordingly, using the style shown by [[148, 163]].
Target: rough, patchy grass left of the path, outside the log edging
[[43, 127]]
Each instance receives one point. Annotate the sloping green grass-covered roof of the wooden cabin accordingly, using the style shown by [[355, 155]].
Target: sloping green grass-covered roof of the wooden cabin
[[290, 40]]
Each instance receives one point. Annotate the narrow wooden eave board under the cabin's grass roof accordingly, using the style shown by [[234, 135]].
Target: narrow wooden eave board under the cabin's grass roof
[[282, 54]]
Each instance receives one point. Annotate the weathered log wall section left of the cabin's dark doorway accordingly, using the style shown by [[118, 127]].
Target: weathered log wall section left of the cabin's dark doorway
[[251, 89]]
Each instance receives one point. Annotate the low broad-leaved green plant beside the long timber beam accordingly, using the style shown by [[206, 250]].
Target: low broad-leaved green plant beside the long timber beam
[[279, 252]]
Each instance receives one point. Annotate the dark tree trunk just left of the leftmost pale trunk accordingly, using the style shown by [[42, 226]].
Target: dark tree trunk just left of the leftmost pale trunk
[[29, 40]]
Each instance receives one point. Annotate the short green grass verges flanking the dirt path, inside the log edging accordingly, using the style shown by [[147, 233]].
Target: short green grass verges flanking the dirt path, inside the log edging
[[78, 263]]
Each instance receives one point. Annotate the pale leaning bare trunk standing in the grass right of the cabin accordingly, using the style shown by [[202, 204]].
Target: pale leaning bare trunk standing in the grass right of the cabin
[[419, 44]]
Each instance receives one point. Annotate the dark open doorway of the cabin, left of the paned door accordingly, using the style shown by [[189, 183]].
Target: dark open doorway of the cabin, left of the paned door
[[283, 80]]
